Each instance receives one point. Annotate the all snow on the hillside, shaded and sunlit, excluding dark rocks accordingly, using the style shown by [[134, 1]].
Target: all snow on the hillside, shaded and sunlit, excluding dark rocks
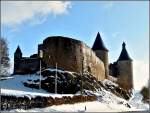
[[106, 100]]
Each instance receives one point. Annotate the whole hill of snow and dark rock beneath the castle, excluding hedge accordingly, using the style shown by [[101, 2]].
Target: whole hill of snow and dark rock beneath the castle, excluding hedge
[[108, 94]]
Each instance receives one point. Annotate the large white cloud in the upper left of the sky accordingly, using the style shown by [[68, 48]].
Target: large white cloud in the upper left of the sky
[[17, 12]]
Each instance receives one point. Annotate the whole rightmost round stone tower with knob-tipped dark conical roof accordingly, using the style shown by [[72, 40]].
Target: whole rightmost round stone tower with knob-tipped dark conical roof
[[125, 68]]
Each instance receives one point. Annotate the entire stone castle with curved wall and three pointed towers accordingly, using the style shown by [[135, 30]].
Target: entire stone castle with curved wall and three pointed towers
[[74, 55]]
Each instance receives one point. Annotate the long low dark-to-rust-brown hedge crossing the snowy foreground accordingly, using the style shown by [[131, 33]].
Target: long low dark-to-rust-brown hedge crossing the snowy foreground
[[40, 102]]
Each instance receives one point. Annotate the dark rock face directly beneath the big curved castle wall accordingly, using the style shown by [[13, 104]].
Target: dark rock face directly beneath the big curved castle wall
[[67, 82]]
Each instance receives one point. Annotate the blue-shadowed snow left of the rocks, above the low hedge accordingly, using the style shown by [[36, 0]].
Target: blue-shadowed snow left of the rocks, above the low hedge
[[14, 86]]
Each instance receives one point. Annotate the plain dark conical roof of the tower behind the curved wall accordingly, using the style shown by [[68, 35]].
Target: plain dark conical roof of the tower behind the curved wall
[[98, 44]]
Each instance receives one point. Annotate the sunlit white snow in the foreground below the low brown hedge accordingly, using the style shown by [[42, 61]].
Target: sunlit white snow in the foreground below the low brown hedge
[[109, 103]]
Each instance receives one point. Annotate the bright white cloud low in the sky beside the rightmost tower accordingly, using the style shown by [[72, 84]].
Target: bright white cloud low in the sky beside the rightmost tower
[[141, 74]]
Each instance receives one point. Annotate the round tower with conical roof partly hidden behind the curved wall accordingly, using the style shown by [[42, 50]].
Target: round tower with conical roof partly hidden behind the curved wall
[[101, 51]]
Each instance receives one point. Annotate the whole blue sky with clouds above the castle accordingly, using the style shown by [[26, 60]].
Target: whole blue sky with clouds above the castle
[[27, 24]]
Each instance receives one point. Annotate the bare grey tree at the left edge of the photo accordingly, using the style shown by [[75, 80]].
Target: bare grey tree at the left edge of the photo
[[4, 59]]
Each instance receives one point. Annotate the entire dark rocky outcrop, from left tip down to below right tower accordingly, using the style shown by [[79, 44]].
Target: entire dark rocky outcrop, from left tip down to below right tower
[[72, 83]]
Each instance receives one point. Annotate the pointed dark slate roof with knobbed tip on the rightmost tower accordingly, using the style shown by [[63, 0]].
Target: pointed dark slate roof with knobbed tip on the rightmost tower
[[124, 54]]
